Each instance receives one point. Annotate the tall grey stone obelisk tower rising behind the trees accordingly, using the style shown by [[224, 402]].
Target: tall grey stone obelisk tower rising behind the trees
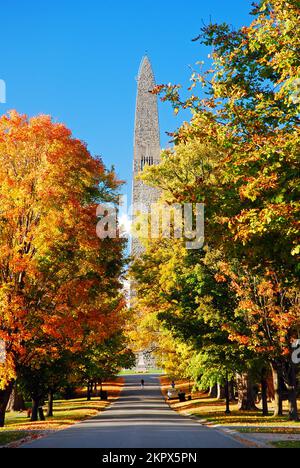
[[146, 142]]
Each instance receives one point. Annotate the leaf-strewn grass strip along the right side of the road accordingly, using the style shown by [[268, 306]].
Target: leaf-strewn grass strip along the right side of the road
[[213, 412]]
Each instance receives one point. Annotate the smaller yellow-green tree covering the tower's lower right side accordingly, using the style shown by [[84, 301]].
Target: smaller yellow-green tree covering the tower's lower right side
[[184, 308]]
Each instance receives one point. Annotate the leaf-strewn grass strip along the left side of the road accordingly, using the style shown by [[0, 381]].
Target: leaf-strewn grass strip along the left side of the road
[[66, 413]]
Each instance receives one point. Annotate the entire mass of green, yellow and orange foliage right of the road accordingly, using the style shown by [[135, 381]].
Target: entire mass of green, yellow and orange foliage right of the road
[[234, 306]]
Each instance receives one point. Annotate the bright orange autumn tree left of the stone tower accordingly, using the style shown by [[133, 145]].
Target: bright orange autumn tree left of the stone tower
[[59, 283]]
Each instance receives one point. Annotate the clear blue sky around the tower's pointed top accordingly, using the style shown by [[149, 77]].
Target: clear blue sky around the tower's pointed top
[[77, 60]]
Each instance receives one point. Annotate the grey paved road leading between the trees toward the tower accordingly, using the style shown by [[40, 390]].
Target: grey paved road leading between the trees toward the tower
[[139, 419]]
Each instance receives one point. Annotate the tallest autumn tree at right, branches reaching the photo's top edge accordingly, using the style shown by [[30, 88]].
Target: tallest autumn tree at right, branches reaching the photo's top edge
[[239, 156]]
